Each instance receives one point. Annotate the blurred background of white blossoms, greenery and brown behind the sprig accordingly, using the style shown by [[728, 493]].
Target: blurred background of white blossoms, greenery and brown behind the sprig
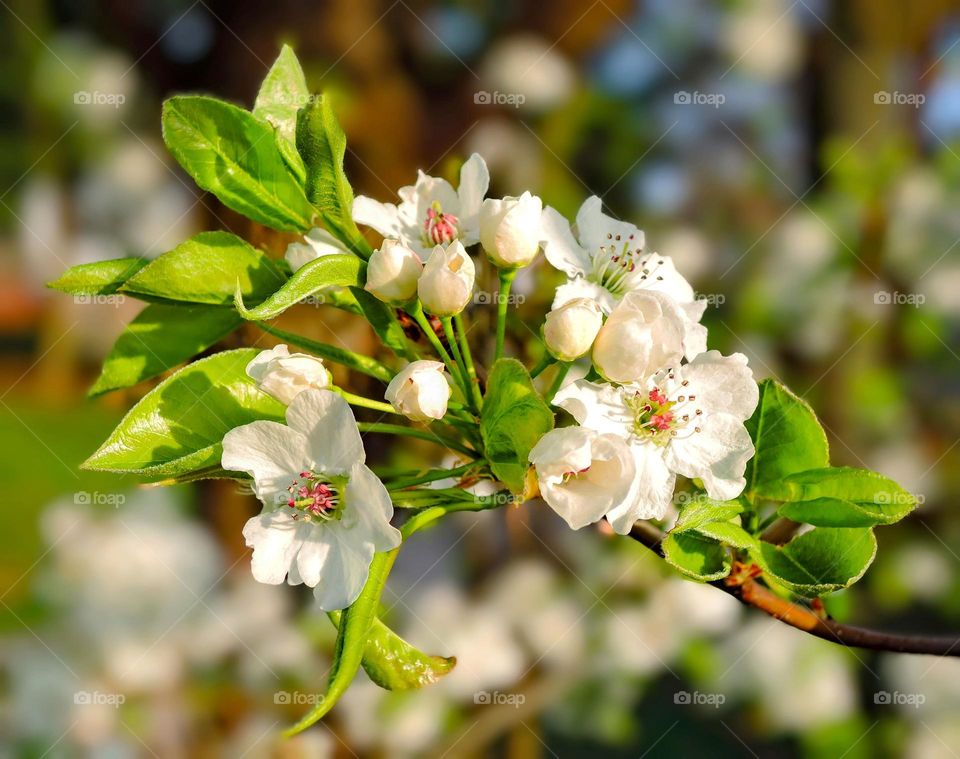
[[800, 160]]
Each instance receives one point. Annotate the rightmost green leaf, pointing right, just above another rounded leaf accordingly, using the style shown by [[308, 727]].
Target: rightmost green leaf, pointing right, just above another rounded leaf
[[840, 497]]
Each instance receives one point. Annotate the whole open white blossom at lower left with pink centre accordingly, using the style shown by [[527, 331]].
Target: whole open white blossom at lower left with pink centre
[[324, 512]]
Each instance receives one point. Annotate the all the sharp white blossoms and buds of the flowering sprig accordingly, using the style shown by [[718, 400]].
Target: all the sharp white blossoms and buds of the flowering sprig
[[655, 404]]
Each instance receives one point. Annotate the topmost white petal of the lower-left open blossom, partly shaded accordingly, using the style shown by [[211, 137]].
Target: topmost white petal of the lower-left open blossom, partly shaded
[[333, 439]]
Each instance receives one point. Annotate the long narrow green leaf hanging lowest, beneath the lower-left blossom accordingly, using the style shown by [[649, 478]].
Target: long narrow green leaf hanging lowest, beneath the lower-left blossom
[[356, 622]]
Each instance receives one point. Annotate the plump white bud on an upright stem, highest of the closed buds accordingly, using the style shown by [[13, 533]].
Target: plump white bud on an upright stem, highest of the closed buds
[[510, 229]]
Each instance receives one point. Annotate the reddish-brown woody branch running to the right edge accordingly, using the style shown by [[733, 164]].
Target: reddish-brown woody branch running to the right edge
[[745, 589]]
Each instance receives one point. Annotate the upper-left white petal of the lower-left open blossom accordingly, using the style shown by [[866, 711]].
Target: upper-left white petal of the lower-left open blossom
[[270, 452]]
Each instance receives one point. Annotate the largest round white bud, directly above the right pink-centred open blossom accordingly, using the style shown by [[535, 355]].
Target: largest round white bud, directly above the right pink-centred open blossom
[[643, 335]]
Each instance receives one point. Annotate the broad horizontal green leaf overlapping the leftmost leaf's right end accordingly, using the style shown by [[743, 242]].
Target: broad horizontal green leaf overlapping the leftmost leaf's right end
[[207, 269]]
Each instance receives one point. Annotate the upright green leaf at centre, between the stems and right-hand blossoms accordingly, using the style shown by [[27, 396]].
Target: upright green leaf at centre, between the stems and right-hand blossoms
[[513, 419]]
